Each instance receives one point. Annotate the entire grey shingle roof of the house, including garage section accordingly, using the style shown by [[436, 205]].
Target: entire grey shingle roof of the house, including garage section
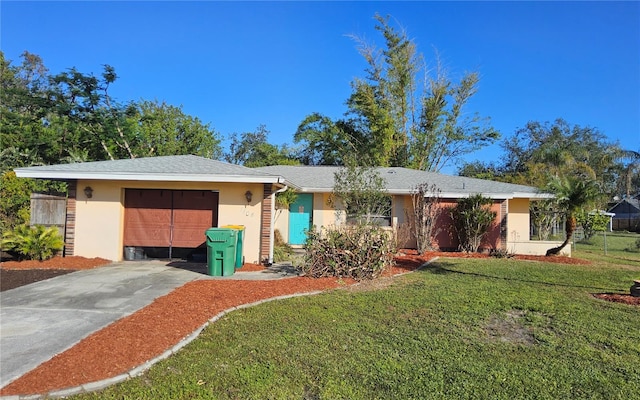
[[309, 179]]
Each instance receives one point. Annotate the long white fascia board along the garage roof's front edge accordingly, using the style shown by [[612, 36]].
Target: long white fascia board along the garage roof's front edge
[[148, 177]]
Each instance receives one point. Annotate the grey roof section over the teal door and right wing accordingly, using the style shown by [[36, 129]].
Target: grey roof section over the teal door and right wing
[[403, 181]]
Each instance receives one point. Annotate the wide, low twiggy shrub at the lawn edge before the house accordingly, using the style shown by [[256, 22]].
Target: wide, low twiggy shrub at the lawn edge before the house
[[356, 251]]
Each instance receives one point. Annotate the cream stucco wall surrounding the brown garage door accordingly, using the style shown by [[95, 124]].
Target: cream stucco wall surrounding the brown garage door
[[100, 220]]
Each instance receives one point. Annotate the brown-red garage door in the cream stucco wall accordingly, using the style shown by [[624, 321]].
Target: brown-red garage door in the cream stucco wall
[[168, 218]]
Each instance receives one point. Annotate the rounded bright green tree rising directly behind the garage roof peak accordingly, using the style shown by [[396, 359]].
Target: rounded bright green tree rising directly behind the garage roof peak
[[162, 129]]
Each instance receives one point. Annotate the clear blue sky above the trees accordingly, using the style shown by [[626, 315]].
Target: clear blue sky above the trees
[[237, 65]]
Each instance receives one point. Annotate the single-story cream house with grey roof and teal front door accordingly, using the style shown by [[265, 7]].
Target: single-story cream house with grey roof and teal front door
[[163, 205]]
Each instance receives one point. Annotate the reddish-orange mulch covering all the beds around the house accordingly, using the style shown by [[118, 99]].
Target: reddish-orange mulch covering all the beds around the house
[[135, 339]]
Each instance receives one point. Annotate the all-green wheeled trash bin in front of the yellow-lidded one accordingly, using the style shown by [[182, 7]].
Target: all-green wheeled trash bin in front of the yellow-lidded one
[[221, 251]]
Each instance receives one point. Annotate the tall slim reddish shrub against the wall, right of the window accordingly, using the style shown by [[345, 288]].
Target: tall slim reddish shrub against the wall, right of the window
[[426, 211]]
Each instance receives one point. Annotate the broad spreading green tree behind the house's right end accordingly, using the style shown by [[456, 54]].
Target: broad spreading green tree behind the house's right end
[[538, 151]]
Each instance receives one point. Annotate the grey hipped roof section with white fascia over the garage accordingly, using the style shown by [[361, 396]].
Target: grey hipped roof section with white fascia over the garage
[[183, 168]]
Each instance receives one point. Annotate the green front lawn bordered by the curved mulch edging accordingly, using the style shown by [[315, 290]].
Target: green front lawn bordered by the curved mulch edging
[[461, 328]]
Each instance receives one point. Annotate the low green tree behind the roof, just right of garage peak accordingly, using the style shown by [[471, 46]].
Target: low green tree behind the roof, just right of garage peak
[[252, 150]]
